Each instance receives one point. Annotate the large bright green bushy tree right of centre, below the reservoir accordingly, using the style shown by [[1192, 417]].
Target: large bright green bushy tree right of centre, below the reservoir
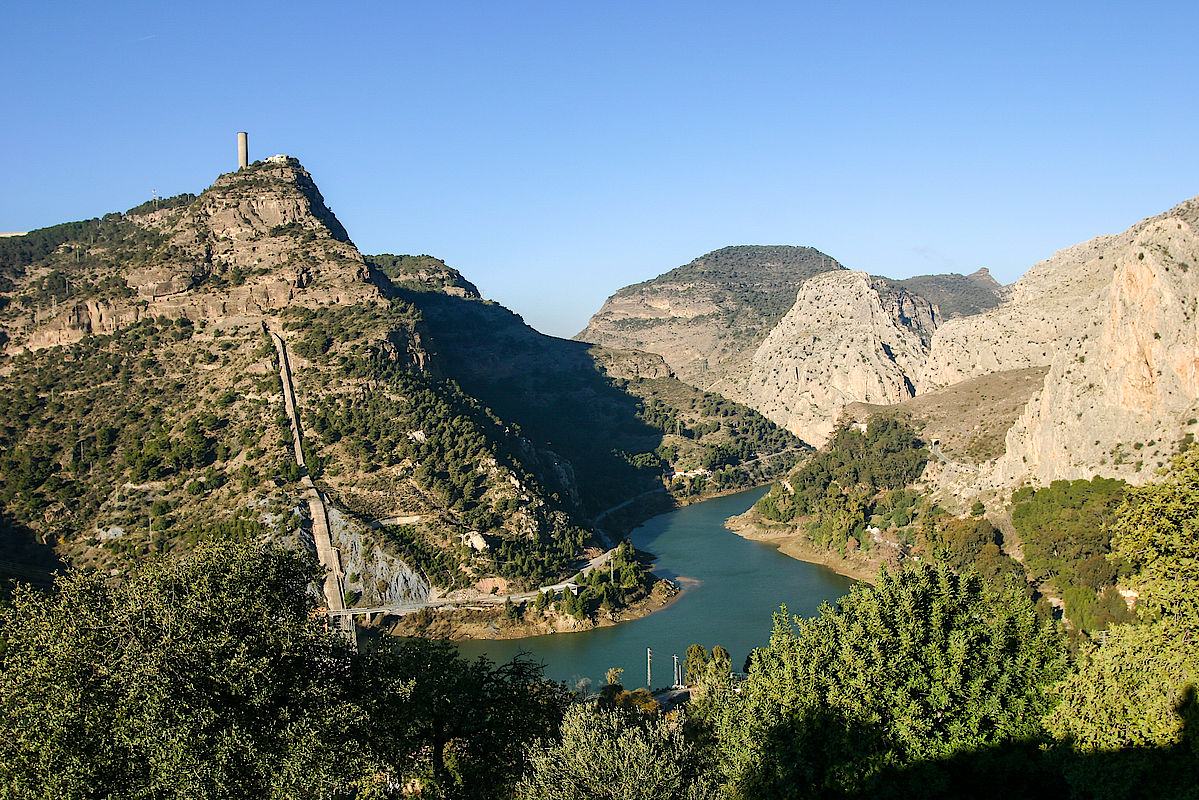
[[919, 669]]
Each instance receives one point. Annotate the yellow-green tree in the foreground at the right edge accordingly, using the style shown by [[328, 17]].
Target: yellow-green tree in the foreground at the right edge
[[1138, 689]]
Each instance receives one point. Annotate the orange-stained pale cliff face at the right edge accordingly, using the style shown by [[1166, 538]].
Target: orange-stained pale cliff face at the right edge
[[1123, 386]]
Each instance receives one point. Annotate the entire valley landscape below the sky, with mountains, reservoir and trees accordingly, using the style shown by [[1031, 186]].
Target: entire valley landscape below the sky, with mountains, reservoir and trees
[[245, 466]]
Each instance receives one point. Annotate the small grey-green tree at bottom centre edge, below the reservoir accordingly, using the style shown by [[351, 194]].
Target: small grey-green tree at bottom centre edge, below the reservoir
[[604, 755]]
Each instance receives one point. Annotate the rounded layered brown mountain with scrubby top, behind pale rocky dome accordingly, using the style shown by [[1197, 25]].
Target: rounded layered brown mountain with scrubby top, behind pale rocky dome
[[706, 318]]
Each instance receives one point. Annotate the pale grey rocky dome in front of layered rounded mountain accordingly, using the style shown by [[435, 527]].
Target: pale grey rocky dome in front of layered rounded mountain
[[848, 339]]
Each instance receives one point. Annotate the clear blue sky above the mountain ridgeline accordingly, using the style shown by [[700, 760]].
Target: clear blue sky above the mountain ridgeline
[[557, 152]]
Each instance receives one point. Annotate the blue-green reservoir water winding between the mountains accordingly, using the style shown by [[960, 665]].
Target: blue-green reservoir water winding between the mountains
[[732, 587]]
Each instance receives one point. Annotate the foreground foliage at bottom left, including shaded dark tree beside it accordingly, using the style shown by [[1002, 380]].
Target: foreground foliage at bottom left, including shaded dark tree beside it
[[208, 677]]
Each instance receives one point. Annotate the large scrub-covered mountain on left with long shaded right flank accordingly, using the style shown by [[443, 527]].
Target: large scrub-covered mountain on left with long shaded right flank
[[143, 411]]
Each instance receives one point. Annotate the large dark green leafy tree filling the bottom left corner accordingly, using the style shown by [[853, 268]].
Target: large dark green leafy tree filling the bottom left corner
[[200, 677]]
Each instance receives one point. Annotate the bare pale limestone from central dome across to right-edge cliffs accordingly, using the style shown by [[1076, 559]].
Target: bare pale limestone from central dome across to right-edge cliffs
[[1113, 321]]
